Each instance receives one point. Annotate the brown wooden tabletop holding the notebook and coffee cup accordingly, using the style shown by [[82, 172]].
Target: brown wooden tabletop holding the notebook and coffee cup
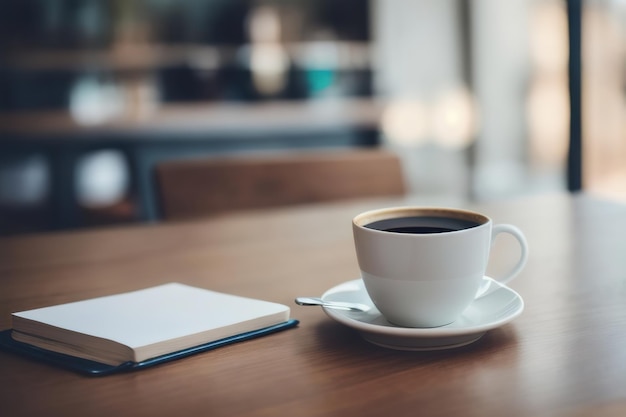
[[565, 355]]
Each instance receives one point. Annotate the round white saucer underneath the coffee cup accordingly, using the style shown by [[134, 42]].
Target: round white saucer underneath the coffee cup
[[494, 308]]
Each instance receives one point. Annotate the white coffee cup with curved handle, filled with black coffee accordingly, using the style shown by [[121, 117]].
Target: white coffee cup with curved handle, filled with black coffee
[[427, 277]]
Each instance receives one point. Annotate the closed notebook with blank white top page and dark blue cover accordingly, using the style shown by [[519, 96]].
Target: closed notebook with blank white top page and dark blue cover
[[141, 328]]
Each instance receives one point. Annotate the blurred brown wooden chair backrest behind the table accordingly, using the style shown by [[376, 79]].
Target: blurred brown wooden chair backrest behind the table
[[196, 188]]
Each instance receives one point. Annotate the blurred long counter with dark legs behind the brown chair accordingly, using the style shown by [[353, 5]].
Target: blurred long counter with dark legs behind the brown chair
[[147, 136]]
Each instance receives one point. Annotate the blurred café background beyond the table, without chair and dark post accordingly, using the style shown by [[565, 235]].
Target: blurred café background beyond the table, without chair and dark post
[[472, 94]]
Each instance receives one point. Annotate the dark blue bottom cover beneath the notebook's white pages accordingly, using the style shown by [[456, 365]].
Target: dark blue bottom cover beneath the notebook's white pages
[[88, 367]]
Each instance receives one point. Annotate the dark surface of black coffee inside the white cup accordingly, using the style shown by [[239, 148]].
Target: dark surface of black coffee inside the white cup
[[422, 224]]
